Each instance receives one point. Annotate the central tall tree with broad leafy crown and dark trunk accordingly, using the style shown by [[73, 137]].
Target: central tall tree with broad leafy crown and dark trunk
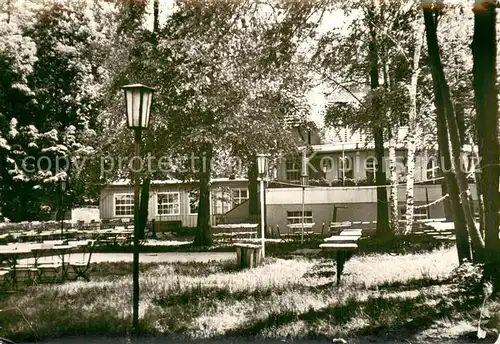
[[225, 81]]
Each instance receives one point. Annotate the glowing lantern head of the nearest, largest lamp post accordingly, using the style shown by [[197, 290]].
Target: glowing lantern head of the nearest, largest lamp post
[[138, 105]]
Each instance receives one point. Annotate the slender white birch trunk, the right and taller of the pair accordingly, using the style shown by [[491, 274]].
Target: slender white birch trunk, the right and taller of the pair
[[412, 128]]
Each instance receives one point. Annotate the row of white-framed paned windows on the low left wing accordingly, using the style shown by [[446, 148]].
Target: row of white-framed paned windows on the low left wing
[[168, 203]]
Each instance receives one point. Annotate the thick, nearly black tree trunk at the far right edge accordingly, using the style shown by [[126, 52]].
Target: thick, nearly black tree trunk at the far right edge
[[486, 101]]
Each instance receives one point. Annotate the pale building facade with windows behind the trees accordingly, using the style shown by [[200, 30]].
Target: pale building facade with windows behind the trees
[[341, 175]]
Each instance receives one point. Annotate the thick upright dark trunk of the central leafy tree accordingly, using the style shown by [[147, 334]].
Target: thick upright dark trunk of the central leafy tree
[[203, 236]]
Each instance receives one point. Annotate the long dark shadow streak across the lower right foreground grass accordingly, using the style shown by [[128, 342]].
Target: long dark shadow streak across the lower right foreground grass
[[386, 316]]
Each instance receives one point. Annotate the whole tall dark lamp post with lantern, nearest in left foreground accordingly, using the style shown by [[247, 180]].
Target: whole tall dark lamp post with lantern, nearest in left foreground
[[138, 105]]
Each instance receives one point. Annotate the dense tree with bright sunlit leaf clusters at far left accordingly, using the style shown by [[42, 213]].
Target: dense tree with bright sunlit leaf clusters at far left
[[51, 103]]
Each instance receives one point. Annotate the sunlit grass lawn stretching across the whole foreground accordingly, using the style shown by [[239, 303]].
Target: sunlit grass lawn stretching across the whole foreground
[[404, 296]]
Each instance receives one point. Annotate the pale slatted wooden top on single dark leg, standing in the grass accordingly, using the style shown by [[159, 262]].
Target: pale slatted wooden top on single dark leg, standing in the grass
[[341, 244]]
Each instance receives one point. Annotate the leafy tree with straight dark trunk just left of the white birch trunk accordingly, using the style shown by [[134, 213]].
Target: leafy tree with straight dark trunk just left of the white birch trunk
[[382, 29]]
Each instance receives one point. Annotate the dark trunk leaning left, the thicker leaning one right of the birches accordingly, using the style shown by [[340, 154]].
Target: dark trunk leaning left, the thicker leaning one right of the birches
[[462, 235]]
